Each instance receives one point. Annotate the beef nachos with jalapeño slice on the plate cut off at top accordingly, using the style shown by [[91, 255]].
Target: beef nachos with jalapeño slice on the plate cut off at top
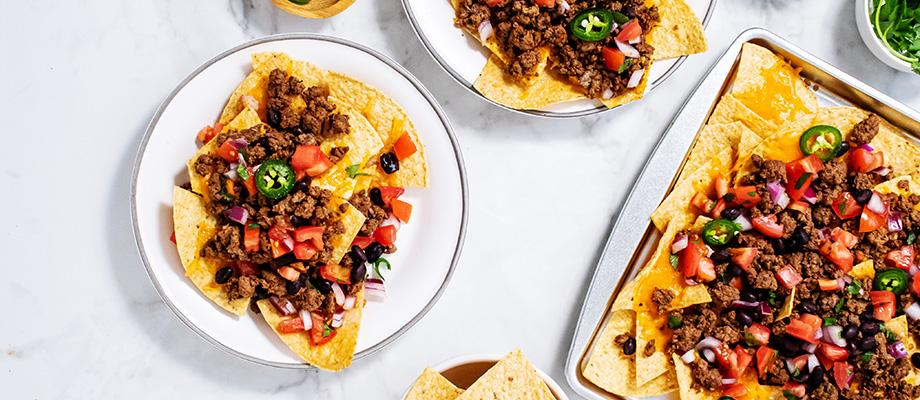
[[545, 52]]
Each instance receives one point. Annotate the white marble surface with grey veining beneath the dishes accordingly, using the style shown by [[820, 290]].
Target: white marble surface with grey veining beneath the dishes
[[82, 80]]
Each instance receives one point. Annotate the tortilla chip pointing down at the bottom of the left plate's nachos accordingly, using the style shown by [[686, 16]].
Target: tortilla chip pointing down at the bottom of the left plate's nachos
[[336, 354]]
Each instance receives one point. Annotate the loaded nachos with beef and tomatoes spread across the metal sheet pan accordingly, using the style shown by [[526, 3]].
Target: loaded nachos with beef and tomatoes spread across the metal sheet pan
[[786, 265]]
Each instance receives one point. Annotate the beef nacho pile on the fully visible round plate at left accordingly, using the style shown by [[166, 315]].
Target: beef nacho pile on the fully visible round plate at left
[[293, 193]]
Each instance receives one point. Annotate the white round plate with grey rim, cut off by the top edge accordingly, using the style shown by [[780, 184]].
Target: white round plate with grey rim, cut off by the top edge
[[463, 57]]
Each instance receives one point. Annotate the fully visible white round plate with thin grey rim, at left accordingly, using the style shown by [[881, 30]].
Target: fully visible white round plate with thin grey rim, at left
[[429, 246]]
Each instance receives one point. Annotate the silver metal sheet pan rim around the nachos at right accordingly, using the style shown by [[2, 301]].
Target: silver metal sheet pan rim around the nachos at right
[[633, 236]]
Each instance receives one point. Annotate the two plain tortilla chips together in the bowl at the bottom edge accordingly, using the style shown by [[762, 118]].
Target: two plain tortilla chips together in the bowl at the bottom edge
[[512, 377]]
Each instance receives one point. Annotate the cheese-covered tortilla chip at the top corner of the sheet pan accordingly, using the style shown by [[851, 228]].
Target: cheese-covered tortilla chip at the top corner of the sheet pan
[[770, 87]]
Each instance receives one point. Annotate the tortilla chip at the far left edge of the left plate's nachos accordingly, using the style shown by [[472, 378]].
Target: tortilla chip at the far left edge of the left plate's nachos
[[193, 228]]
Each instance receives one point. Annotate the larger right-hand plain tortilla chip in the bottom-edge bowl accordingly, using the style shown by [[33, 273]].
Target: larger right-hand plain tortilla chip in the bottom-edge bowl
[[513, 377]]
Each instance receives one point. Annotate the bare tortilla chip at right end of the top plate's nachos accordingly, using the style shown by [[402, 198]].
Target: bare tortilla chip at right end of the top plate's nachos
[[679, 32]]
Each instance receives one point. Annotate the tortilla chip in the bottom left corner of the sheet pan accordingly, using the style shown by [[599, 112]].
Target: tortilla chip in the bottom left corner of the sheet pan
[[612, 370]]
